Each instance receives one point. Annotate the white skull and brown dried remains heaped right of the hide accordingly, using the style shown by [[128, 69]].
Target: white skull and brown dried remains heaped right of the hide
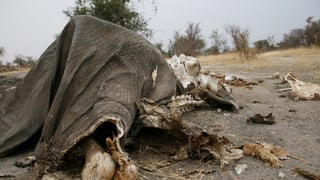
[[199, 87]]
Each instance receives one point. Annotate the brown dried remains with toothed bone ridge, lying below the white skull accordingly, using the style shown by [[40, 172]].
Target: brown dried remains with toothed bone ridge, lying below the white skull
[[152, 115]]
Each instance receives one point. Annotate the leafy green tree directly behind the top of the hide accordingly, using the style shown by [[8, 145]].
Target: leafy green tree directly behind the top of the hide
[[116, 11]]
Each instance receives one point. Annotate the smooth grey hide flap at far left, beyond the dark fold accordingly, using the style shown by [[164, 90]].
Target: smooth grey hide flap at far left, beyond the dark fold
[[25, 107]]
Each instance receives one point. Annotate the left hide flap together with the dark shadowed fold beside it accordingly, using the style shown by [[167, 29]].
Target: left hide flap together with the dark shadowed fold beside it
[[25, 109]]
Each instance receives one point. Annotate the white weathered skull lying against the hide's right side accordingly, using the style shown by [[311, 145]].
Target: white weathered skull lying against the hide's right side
[[204, 84]]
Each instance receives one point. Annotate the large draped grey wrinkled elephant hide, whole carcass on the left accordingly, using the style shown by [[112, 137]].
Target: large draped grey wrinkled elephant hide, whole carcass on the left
[[83, 91]]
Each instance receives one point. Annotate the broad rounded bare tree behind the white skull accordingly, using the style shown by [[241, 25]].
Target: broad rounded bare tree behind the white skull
[[190, 44]]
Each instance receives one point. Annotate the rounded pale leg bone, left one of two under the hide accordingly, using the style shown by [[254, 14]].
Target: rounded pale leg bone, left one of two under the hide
[[99, 164]]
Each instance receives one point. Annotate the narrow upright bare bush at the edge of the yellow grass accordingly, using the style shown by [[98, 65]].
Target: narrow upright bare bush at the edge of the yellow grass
[[240, 38]]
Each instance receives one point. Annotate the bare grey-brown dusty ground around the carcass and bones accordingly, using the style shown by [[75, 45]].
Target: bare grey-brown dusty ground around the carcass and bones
[[296, 129]]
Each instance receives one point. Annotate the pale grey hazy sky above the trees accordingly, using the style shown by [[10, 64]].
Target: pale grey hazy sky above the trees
[[29, 26]]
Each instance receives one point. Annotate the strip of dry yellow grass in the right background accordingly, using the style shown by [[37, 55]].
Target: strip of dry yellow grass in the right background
[[304, 62]]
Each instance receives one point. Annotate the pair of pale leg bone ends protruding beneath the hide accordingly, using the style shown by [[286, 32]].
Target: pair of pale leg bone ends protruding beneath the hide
[[112, 164]]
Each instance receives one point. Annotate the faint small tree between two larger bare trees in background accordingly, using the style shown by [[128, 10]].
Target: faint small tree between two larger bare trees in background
[[219, 43]]
